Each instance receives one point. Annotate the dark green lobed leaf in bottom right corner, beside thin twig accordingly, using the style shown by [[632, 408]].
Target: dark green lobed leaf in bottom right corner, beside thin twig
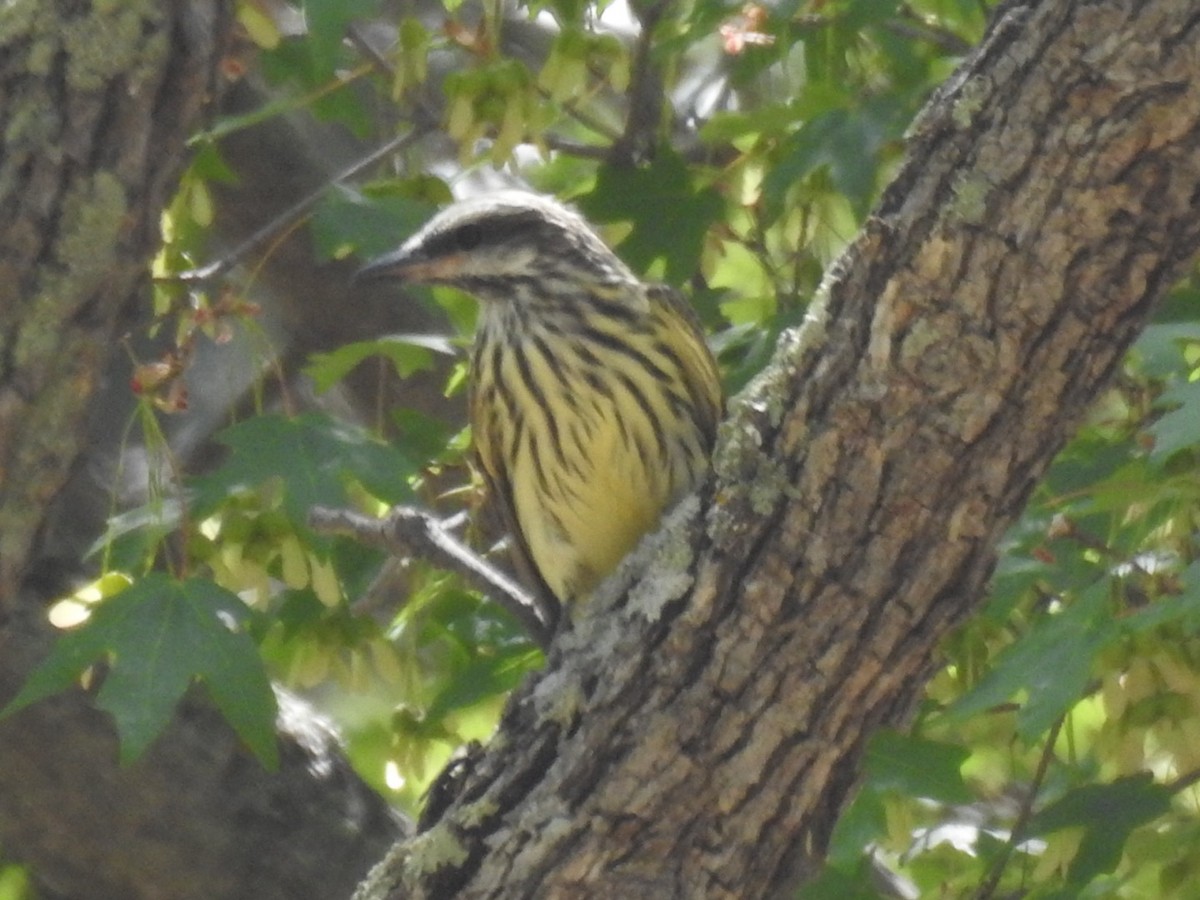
[[1108, 814]]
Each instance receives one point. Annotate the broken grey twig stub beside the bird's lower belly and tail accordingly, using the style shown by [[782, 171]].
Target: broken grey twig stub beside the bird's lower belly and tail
[[409, 532]]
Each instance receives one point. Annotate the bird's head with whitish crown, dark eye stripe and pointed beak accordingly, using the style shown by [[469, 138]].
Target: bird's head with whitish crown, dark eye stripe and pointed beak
[[503, 247]]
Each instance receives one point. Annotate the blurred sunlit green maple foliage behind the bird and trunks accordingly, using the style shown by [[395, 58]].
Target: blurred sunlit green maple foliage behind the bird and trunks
[[734, 151]]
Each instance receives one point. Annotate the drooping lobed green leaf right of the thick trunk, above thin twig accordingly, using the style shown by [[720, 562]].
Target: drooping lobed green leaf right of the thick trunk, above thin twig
[[1052, 665]]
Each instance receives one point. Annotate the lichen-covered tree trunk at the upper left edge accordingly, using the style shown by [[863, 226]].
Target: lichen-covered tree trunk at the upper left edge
[[93, 146]]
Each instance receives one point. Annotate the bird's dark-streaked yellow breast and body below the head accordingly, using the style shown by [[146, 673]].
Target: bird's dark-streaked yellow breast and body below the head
[[589, 428]]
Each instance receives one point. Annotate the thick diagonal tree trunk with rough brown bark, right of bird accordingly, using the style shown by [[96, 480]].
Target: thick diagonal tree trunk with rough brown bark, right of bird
[[697, 735]]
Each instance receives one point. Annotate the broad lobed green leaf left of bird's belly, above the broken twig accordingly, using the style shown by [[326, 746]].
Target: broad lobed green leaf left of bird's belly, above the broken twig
[[314, 457]]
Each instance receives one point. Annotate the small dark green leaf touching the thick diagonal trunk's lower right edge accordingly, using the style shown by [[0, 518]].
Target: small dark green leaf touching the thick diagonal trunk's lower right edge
[[917, 767]]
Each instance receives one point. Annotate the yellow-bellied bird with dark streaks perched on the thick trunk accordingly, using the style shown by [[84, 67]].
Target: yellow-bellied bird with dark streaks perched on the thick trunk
[[595, 400]]
